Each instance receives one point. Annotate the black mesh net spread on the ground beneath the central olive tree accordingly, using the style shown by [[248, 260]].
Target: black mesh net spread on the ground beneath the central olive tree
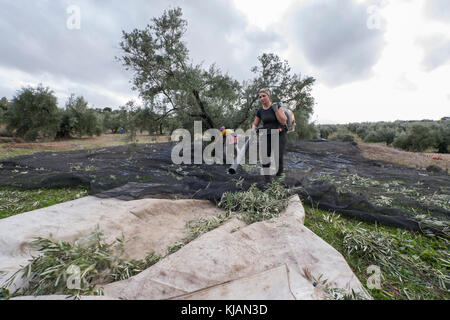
[[331, 175]]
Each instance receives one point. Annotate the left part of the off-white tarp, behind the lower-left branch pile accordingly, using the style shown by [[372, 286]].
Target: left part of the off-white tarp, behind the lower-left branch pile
[[147, 225]]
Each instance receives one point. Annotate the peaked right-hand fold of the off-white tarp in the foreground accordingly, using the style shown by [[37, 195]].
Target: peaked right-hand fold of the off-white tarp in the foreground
[[235, 251]]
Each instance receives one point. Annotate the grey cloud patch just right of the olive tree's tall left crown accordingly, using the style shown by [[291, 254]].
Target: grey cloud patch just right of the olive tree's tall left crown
[[217, 33]]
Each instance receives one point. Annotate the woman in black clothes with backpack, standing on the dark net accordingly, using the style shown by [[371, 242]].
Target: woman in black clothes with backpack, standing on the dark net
[[273, 117]]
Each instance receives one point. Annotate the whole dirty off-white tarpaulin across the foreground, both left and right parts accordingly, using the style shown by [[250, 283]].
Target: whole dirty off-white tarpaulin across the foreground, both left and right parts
[[275, 259]]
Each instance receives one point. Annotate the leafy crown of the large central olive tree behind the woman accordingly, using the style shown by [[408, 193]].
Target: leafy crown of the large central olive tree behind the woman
[[177, 91]]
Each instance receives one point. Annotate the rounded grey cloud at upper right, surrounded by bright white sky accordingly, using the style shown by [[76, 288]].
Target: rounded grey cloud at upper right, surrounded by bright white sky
[[334, 37]]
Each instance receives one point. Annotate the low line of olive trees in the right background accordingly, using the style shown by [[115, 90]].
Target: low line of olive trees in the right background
[[414, 136]]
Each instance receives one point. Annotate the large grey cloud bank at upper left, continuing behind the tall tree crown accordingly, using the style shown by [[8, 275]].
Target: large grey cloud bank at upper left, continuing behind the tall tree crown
[[35, 39]]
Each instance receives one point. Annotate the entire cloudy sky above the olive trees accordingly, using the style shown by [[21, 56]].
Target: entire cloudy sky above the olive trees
[[373, 60]]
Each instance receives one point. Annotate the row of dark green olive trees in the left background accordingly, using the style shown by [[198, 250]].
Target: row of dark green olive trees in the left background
[[33, 114]]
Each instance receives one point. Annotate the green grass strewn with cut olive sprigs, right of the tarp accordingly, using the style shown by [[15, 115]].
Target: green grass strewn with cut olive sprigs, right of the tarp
[[412, 265]]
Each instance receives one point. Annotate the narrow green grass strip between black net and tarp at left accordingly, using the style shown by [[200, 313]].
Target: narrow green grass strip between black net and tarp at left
[[14, 201]]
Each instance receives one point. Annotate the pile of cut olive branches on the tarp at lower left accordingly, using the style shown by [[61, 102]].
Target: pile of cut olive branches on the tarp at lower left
[[76, 269]]
